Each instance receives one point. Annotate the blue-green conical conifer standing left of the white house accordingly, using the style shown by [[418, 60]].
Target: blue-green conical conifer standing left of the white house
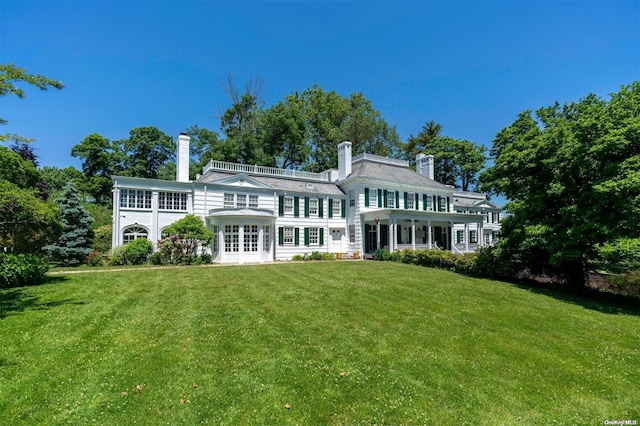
[[74, 245]]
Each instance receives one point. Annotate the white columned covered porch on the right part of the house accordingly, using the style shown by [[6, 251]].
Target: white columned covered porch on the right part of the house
[[392, 230]]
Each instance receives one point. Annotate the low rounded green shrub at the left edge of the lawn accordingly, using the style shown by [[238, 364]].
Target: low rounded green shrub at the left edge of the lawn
[[17, 270]]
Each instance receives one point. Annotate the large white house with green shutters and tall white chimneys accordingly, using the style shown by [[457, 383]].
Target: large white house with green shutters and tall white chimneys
[[261, 214]]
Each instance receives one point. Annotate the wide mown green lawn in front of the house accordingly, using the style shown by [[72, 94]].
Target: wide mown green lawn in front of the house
[[339, 342]]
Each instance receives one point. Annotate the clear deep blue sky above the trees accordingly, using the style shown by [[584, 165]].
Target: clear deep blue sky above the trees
[[470, 66]]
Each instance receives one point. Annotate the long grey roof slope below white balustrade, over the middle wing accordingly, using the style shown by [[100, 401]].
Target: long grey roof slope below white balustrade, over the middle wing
[[277, 183]]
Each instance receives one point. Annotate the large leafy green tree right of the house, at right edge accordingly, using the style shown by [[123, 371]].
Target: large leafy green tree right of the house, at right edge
[[572, 175]]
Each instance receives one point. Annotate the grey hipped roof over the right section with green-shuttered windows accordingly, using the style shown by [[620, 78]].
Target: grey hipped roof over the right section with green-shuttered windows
[[391, 174]]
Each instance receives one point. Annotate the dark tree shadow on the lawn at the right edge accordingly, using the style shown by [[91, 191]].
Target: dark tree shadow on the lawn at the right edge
[[588, 298]]
